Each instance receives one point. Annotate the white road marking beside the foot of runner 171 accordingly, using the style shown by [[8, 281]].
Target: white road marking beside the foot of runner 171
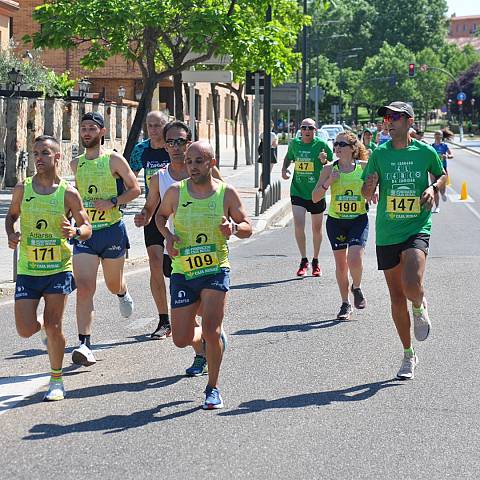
[[16, 389]]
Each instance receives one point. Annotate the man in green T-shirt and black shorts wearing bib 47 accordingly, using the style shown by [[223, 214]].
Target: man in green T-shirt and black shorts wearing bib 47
[[305, 152]]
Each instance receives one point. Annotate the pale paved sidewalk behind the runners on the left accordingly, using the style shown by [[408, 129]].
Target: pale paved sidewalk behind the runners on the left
[[242, 178]]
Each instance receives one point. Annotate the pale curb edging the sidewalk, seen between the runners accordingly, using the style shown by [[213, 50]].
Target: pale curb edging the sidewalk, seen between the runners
[[274, 215]]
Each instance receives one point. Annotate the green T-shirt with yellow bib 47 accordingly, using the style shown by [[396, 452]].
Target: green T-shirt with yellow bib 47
[[307, 165]]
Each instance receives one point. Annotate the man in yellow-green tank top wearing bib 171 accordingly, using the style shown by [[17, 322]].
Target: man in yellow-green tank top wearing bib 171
[[44, 203]]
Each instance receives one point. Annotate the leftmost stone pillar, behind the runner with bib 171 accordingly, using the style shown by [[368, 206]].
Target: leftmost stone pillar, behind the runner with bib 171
[[16, 151]]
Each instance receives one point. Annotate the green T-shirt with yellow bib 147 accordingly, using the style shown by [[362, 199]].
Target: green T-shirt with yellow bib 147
[[403, 177]]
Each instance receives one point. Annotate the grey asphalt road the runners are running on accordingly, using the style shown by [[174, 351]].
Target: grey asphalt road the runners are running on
[[306, 396]]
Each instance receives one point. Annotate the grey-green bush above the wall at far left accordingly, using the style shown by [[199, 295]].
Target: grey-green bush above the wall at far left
[[35, 75]]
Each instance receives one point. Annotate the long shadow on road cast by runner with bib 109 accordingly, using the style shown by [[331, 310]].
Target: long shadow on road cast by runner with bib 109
[[111, 423]]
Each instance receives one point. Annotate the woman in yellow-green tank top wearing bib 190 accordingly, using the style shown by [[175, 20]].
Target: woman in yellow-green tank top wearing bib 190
[[347, 223]]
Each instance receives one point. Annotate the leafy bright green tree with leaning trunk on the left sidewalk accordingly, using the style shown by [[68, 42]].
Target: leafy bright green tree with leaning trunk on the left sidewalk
[[156, 35]]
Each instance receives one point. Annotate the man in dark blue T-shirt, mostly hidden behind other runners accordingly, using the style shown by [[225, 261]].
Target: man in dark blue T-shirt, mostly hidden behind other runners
[[151, 155]]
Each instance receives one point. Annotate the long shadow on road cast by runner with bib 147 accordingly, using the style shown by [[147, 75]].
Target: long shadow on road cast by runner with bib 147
[[351, 394]]
